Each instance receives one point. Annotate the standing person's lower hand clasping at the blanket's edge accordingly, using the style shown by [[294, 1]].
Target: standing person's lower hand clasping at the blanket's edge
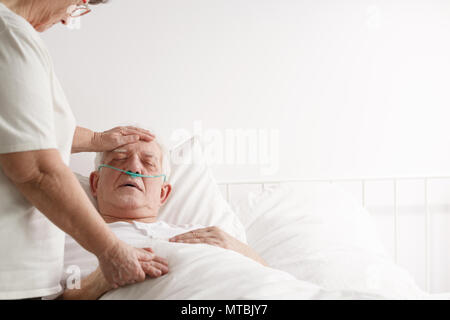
[[123, 264]]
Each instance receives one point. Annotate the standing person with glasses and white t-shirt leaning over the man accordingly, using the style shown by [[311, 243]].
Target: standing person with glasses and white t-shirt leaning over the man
[[39, 195]]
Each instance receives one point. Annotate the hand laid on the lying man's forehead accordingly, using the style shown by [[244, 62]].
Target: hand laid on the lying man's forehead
[[119, 136]]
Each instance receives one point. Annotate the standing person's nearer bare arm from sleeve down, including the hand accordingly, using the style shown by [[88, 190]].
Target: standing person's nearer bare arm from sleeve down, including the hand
[[48, 184]]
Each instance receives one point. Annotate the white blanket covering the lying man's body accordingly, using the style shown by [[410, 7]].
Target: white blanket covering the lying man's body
[[201, 271]]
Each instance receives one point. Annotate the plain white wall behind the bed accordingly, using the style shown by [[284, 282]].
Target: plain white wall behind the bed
[[352, 87]]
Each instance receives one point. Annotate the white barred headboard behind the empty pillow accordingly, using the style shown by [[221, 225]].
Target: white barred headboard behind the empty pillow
[[394, 219]]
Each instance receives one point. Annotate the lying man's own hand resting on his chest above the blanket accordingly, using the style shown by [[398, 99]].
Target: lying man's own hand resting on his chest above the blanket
[[210, 235]]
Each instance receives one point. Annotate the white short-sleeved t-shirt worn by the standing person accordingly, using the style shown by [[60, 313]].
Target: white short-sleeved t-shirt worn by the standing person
[[34, 115]]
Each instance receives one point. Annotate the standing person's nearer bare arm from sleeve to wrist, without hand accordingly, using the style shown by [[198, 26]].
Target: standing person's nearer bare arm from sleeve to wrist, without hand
[[47, 183]]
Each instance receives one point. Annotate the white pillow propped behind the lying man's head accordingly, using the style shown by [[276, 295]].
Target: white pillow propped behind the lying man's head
[[195, 196]]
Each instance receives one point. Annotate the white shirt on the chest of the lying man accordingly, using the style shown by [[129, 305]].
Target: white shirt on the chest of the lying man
[[78, 261]]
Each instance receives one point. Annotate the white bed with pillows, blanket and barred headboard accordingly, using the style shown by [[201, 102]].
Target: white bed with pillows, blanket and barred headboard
[[318, 240]]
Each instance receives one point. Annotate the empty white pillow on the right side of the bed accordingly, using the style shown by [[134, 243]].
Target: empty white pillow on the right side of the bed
[[318, 233]]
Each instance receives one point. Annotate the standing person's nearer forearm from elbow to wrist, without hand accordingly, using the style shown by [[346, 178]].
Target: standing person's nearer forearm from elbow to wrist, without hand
[[58, 195]]
